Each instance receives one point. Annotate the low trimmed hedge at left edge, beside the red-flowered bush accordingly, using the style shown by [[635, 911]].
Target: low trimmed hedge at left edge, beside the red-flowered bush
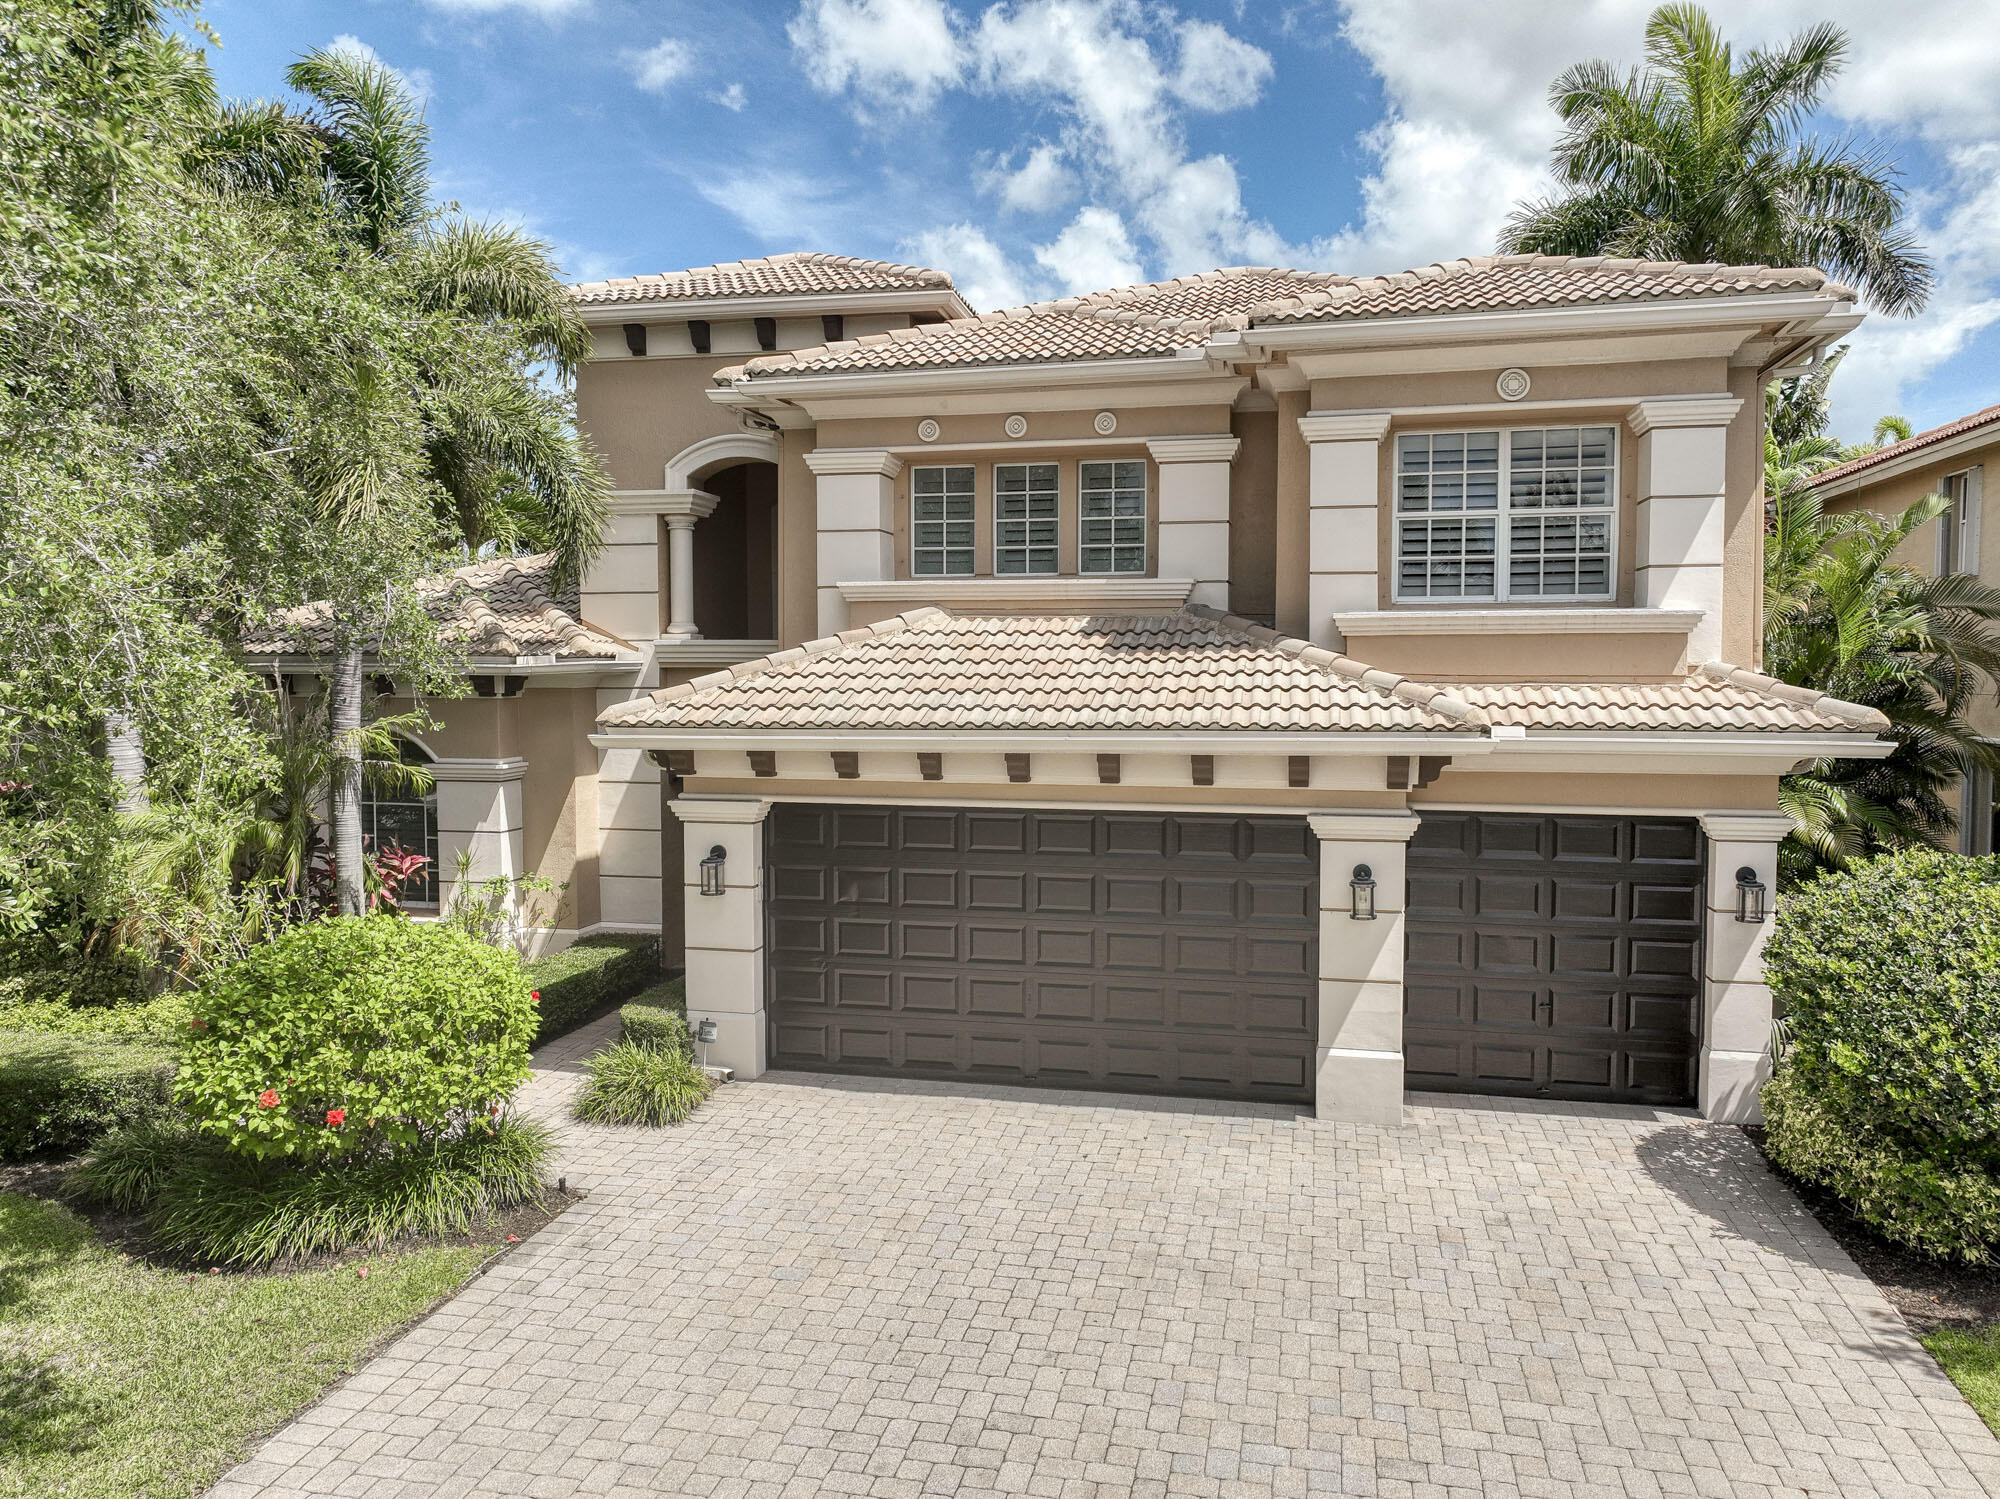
[[59, 1092]]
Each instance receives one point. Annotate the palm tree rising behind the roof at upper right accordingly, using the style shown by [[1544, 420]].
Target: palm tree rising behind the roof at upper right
[[1699, 159]]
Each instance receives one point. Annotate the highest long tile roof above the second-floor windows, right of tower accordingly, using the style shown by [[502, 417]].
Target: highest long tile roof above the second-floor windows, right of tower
[[1161, 319]]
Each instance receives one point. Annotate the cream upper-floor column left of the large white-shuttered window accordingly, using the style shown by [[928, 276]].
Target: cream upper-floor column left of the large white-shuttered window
[[1345, 505]]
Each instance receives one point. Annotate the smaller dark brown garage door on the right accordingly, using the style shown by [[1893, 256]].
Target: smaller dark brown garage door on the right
[[1555, 956]]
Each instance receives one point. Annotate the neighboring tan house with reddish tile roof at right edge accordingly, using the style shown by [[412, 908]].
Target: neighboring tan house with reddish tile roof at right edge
[[1949, 461]]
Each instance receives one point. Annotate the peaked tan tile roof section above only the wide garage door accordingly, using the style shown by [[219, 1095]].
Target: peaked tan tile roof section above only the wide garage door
[[935, 671]]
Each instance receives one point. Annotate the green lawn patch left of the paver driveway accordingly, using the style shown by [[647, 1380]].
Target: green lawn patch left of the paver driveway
[[121, 1380]]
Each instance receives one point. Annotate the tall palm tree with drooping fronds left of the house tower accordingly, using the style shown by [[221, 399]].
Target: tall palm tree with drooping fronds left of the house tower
[[499, 451]]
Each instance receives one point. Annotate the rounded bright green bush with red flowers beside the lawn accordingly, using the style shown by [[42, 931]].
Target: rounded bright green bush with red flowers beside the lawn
[[357, 1034]]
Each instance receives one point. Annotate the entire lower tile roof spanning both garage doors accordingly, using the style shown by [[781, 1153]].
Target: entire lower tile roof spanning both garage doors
[[1191, 671]]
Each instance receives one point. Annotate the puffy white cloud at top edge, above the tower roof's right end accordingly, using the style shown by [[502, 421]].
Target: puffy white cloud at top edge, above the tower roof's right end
[[895, 55]]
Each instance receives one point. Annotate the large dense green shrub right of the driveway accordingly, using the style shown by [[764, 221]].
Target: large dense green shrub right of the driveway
[[1889, 976]]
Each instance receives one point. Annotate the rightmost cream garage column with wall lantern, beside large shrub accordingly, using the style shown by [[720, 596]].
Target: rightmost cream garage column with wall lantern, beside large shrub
[[1735, 994]]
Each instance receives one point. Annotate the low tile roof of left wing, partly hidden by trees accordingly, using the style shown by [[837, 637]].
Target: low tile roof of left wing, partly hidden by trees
[[495, 609]]
